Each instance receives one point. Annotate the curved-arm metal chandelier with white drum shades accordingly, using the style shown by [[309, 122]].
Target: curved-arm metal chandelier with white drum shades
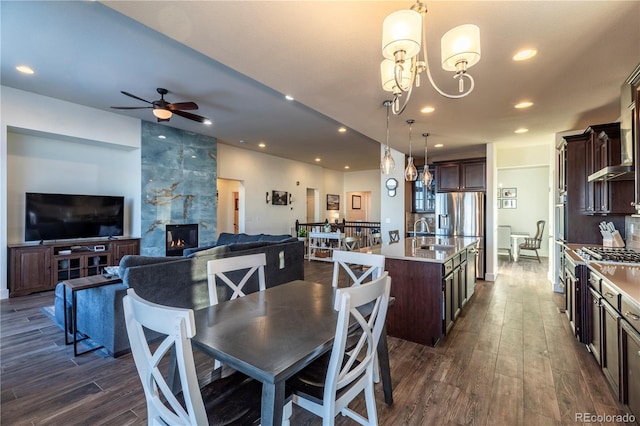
[[403, 36]]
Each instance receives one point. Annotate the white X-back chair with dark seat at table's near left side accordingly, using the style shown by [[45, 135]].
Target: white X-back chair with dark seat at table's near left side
[[234, 399]]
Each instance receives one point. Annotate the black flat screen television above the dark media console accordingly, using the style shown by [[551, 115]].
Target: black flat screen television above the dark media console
[[69, 216]]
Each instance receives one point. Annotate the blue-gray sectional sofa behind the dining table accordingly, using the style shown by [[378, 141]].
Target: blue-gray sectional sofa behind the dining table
[[175, 281]]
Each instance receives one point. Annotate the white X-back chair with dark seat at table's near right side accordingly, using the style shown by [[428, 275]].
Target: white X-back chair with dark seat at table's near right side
[[327, 386]]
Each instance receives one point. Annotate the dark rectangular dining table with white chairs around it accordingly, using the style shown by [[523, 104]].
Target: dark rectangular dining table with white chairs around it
[[273, 334]]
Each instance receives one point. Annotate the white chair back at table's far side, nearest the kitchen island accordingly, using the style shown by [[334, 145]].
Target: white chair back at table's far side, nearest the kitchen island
[[367, 266]]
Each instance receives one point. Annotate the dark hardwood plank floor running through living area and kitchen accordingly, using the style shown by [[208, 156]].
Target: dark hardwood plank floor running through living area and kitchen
[[510, 360]]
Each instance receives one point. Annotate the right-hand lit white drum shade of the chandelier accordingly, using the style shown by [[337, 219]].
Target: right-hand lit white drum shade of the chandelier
[[461, 43]]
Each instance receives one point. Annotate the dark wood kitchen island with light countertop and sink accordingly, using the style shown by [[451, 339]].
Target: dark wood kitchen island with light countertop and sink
[[432, 278]]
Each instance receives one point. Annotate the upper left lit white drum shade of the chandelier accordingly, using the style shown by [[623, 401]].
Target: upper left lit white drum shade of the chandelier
[[401, 31]]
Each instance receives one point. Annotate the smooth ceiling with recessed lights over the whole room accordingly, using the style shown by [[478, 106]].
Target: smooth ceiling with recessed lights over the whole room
[[237, 59]]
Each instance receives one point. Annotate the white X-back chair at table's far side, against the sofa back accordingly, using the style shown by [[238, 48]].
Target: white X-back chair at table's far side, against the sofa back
[[227, 270]]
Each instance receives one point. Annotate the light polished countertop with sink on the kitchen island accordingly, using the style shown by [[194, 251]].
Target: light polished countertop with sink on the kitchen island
[[444, 248]]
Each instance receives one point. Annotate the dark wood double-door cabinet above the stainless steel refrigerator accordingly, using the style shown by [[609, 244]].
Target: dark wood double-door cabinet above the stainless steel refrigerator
[[464, 175]]
